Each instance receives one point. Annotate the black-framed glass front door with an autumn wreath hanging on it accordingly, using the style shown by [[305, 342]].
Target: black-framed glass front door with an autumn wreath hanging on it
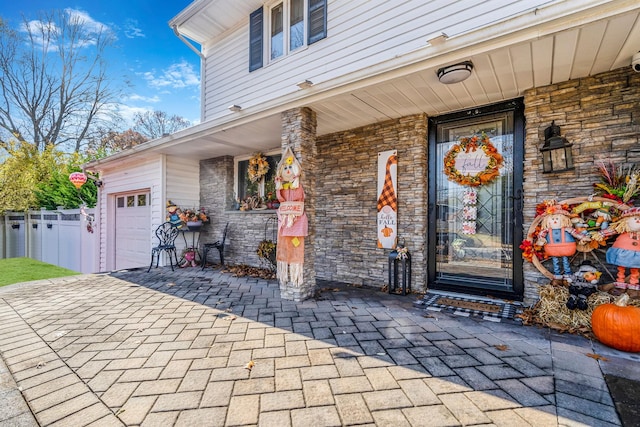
[[475, 201]]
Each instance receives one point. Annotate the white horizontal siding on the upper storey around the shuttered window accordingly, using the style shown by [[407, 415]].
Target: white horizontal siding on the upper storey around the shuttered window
[[353, 44]]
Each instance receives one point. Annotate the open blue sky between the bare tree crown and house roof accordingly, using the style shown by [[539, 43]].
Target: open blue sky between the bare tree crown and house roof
[[164, 72]]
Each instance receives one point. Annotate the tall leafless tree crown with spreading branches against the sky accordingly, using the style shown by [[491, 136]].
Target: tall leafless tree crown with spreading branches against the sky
[[53, 80]]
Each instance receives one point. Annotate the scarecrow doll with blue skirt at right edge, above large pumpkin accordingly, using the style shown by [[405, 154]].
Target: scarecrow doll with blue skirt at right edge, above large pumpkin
[[625, 252]]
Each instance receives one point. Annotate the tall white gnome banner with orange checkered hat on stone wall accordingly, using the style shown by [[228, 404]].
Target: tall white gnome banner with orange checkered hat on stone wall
[[387, 199]]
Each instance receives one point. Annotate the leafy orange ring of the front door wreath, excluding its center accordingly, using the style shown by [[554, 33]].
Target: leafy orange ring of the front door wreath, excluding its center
[[471, 145]]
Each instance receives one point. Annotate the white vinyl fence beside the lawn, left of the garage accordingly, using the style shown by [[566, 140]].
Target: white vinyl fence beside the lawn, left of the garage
[[62, 237]]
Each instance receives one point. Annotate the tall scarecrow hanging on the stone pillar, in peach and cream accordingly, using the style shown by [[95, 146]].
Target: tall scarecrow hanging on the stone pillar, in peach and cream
[[292, 220]]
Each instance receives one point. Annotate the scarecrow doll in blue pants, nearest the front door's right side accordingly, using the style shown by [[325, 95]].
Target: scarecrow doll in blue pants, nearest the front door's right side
[[559, 240]]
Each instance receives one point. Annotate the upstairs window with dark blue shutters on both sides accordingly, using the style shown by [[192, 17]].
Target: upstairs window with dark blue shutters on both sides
[[287, 26]]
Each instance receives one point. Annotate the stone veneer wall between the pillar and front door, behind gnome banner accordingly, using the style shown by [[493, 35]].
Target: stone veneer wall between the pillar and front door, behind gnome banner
[[346, 201]]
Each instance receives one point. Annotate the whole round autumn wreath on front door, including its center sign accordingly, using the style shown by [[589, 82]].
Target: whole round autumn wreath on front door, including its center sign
[[473, 161]]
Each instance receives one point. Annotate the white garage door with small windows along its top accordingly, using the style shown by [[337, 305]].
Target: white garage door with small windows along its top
[[133, 230]]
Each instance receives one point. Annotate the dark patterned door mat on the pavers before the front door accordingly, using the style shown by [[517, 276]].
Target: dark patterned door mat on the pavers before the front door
[[467, 306]]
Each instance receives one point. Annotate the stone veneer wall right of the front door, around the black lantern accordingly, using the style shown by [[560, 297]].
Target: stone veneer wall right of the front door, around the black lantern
[[600, 115]]
